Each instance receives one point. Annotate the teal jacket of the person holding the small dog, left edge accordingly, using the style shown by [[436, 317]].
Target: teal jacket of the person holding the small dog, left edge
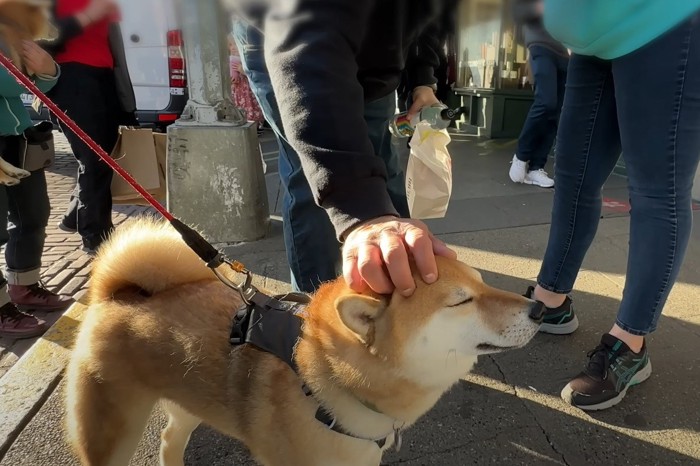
[[14, 118]]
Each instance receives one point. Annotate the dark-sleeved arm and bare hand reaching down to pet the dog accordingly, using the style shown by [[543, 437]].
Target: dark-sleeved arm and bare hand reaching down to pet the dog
[[310, 49]]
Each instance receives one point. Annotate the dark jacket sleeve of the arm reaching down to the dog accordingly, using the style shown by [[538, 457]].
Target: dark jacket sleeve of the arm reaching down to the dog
[[310, 49]]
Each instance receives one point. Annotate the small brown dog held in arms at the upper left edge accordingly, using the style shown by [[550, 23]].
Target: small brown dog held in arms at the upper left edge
[[21, 20]]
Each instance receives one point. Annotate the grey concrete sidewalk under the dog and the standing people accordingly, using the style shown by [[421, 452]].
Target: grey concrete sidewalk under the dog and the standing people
[[508, 411]]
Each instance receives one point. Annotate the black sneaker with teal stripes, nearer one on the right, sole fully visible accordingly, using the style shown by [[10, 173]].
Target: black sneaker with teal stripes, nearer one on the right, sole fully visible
[[612, 368]]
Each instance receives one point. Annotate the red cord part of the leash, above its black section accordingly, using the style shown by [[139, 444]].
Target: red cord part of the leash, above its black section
[[65, 119]]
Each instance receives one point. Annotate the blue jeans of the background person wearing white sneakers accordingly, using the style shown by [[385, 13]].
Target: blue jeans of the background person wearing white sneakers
[[540, 128]]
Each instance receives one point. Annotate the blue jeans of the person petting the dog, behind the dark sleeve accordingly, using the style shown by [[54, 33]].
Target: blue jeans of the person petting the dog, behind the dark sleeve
[[313, 251]]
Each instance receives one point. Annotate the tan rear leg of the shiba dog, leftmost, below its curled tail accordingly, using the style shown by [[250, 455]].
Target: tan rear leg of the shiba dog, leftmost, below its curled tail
[[105, 419]]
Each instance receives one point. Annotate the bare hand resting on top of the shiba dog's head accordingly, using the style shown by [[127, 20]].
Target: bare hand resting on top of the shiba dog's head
[[376, 255]]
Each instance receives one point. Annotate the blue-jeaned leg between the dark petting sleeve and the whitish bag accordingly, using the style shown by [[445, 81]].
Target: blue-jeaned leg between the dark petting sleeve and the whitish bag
[[377, 116]]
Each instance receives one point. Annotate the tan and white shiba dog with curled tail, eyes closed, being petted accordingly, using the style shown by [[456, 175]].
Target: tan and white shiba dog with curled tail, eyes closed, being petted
[[157, 330]]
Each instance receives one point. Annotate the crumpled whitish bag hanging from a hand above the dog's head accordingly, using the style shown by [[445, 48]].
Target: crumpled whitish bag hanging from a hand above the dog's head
[[429, 173]]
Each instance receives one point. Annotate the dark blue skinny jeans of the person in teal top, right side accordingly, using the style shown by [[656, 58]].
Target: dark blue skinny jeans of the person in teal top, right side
[[647, 105]]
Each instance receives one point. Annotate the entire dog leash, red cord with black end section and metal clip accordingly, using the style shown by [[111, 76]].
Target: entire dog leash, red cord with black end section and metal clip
[[208, 253]]
